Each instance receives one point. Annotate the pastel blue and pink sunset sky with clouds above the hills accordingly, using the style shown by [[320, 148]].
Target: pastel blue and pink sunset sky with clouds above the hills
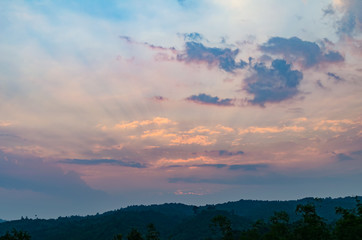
[[106, 104]]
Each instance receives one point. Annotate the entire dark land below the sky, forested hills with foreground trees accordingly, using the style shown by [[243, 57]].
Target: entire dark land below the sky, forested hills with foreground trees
[[306, 219]]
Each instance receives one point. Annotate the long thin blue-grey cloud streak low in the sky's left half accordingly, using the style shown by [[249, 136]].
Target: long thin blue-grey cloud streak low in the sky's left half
[[114, 162]]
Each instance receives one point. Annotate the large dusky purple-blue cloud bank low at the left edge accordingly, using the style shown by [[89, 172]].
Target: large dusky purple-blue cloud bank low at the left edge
[[28, 173]]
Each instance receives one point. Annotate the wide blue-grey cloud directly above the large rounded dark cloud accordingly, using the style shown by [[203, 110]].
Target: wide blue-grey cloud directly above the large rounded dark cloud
[[308, 54]]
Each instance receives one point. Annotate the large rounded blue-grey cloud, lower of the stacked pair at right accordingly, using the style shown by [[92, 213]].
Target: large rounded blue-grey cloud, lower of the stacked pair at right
[[274, 84]]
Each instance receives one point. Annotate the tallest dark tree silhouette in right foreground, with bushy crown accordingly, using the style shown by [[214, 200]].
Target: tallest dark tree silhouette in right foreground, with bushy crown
[[312, 226]]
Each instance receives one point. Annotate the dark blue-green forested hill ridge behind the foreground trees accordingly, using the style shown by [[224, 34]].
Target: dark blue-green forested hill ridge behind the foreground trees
[[172, 221]]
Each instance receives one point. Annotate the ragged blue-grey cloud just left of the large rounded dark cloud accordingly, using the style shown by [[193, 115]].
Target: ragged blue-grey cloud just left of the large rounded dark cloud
[[224, 58]]
